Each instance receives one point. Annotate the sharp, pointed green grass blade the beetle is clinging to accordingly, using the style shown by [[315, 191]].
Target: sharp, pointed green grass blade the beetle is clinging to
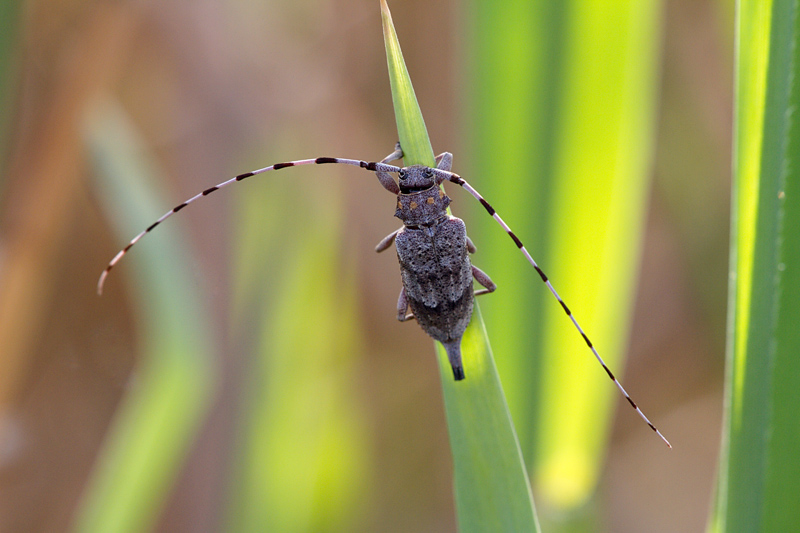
[[491, 484]]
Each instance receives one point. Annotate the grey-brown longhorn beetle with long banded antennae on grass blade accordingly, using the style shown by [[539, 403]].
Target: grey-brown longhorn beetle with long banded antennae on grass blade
[[432, 247]]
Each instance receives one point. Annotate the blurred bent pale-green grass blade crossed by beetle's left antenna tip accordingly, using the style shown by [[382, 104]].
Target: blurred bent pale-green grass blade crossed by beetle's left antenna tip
[[157, 419]]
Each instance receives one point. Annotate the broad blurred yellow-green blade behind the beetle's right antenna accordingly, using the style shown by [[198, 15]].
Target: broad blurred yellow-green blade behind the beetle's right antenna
[[563, 106]]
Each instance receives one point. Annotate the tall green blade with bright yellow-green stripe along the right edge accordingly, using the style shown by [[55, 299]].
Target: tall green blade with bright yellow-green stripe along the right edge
[[759, 481]]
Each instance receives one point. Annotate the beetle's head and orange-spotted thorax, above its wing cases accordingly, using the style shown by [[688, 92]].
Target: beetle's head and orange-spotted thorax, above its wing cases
[[421, 201]]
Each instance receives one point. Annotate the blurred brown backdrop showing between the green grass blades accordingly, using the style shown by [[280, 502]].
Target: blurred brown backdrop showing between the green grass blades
[[210, 84]]
